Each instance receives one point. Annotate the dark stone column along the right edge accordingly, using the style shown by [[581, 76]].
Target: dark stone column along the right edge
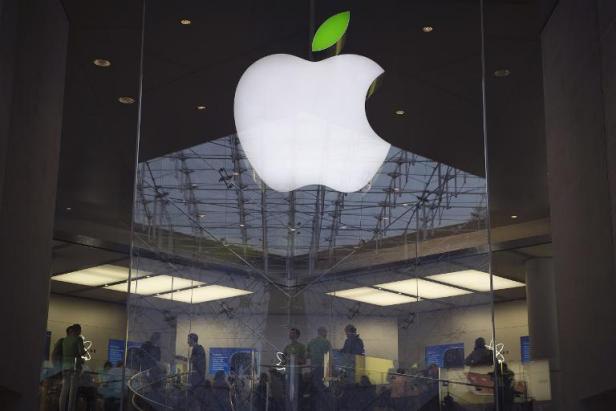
[[579, 83]]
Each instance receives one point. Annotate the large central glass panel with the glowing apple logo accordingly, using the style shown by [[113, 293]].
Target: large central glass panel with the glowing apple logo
[[310, 226]]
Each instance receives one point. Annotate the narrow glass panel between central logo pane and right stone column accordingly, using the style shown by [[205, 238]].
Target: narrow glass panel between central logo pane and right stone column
[[525, 317]]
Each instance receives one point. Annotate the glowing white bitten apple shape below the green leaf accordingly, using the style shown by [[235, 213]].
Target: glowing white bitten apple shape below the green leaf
[[301, 122]]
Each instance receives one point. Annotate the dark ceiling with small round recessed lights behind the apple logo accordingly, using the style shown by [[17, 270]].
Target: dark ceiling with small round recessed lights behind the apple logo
[[435, 77]]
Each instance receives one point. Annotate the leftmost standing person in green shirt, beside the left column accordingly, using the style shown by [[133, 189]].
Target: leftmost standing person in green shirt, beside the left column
[[72, 350]]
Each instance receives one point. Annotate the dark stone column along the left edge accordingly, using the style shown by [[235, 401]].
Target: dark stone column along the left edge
[[33, 38]]
